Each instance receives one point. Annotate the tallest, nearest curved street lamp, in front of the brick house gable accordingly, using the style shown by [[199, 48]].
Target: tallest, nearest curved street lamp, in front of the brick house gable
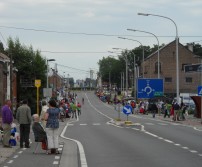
[[177, 53]]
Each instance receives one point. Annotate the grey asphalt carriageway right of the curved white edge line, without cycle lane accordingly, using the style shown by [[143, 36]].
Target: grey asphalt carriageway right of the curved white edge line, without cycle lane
[[159, 144]]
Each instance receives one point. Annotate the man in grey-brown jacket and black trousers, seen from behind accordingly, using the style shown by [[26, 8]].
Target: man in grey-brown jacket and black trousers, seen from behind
[[24, 118]]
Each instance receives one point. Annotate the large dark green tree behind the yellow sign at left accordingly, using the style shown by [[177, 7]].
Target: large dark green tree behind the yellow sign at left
[[30, 65]]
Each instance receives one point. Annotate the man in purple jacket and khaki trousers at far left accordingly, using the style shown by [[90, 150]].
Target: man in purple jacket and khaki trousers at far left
[[7, 119]]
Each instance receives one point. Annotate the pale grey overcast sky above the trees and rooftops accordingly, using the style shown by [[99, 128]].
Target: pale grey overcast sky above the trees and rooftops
[[78, 33]]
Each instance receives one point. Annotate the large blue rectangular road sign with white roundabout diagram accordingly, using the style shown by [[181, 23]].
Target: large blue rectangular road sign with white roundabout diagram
[[148, 88]]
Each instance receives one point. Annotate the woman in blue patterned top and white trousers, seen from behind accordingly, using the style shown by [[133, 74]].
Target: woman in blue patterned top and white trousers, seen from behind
[[52, 126]]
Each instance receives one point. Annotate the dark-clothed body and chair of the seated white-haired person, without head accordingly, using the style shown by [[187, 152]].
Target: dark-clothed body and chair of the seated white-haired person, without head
[[39, 136]]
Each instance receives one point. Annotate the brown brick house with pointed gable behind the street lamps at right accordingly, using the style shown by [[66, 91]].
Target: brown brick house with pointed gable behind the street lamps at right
[[188, 82]]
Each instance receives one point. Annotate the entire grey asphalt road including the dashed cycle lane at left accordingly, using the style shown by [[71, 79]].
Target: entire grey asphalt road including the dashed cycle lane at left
[[93, 140]]
